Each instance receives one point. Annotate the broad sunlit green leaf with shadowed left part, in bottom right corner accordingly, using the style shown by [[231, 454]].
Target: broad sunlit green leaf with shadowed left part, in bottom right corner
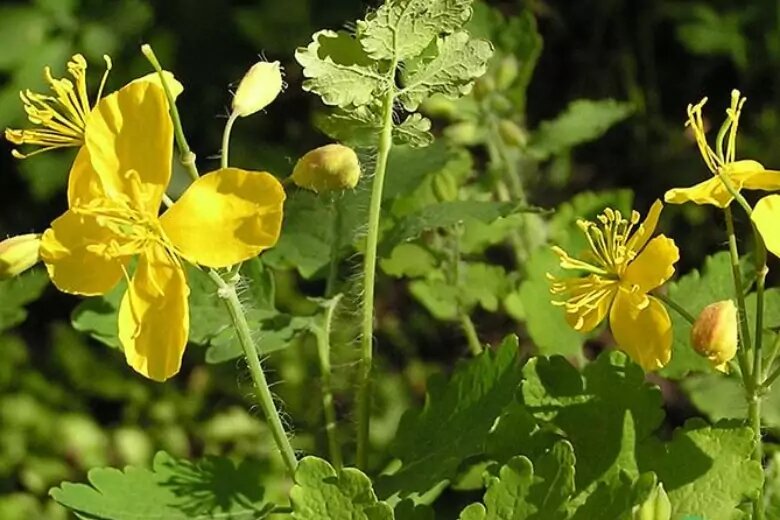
[[707, 470]]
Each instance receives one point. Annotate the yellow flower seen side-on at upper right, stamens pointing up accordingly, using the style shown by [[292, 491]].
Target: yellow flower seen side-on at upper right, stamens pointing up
[[746, 174]]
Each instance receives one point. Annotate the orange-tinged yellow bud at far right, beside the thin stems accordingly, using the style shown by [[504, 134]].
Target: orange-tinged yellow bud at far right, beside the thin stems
[[714, 334]]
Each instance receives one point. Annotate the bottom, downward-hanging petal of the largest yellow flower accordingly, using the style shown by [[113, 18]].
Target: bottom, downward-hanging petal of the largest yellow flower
[[154, 318]]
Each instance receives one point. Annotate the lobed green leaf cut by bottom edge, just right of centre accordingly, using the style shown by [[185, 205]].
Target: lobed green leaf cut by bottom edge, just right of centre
[[519, 493]]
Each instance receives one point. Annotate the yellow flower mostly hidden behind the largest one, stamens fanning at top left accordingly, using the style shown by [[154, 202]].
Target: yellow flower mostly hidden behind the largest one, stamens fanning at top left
[[63, 117]]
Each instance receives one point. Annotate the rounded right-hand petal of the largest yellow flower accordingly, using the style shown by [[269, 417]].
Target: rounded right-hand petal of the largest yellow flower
[[226, 217]]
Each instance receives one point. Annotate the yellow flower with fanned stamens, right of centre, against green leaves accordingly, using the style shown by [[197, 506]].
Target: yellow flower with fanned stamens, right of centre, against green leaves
[[623, 266]]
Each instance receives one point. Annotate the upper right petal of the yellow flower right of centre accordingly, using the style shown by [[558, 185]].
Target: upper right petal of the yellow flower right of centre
[[653, 266]]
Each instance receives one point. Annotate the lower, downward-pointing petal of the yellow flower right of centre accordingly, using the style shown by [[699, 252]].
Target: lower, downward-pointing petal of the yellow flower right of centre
[[645, 334]]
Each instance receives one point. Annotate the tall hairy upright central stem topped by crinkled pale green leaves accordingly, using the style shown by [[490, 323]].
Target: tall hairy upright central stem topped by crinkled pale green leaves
[[369, 273]]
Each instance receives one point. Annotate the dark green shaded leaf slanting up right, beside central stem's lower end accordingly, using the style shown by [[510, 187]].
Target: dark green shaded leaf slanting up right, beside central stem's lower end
[[455, 421]]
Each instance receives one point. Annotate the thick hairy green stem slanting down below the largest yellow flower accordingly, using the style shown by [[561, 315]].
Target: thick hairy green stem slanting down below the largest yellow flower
[[227, 291]]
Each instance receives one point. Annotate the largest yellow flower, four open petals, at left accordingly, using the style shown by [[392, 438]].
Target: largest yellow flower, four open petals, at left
[[116, 186]]
